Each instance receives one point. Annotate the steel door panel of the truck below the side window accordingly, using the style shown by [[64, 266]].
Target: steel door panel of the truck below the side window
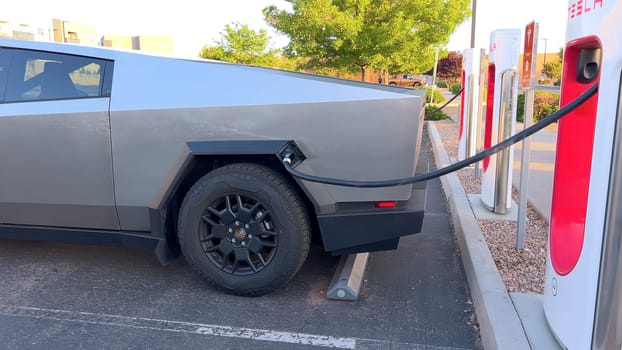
[[57, 164]]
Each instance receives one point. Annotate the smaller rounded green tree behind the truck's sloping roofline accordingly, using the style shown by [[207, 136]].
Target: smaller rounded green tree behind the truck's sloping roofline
[[240, 44]]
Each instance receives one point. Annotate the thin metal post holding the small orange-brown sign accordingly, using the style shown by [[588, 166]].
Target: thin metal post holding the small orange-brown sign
[[525, 151]]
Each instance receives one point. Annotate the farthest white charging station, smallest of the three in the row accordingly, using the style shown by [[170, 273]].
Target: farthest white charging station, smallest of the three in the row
[[468, 105]]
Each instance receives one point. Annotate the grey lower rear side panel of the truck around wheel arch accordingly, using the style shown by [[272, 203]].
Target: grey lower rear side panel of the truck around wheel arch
[[347, 150]]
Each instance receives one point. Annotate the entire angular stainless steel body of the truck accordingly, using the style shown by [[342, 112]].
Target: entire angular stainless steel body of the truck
[[112, 162]]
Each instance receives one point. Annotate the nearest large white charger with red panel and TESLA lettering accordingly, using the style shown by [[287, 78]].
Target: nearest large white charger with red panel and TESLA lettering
[[583, 285]]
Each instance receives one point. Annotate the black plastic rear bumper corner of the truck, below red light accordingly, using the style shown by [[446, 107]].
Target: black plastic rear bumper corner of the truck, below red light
[[368, 231]]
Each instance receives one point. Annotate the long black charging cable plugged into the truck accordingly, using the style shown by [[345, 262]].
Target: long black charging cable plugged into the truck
[[453, 167]]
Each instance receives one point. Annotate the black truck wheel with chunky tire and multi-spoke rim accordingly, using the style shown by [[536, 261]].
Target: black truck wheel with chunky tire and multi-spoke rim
[[244, 228]]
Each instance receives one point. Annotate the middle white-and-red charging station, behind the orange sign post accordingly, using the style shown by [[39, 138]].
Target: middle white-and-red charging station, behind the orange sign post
[[501, 99]]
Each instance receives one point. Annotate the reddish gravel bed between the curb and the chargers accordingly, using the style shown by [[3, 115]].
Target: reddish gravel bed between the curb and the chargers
[[521, 270]]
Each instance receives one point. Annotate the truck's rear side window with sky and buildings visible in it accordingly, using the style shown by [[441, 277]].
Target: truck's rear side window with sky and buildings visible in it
[[36, 75]]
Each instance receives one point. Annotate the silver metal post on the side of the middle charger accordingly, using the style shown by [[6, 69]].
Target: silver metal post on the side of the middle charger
[[505, 131]]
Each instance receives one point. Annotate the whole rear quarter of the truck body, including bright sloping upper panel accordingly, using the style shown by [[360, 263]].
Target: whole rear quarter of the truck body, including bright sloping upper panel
[[345, 130]]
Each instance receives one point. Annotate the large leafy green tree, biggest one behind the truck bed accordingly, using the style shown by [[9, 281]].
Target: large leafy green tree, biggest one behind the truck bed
[[356, 35]]
